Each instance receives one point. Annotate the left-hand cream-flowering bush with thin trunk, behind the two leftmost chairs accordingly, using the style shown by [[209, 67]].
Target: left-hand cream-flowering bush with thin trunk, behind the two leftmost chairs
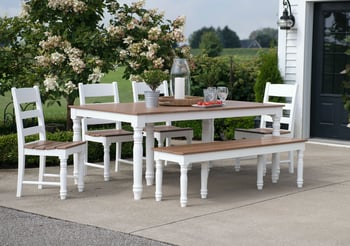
[[71, 46]]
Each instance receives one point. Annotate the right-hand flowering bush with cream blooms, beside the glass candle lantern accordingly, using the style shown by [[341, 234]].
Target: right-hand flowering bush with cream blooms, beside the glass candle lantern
[[147, 40]]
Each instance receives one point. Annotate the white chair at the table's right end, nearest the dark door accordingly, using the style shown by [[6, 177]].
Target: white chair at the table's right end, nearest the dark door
[[288, 93]]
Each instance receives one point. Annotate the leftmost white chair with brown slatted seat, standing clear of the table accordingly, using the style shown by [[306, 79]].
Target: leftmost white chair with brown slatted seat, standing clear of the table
[[42, 147]]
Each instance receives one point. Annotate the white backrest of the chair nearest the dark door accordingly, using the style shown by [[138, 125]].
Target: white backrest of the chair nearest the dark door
[[286, 92]]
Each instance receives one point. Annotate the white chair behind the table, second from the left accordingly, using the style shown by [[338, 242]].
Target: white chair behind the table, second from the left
[[98, 93]]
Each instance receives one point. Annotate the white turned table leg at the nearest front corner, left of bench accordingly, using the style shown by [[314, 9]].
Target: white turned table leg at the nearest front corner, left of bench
[[137, 168]]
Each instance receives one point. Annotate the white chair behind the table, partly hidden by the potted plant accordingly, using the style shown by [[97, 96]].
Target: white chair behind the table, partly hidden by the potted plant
[[162, 133]]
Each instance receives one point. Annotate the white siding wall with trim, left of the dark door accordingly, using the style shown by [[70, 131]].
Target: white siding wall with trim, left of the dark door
[[295, 59]]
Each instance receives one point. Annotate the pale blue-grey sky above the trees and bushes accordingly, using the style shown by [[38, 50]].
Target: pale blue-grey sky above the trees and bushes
[[241, 16]]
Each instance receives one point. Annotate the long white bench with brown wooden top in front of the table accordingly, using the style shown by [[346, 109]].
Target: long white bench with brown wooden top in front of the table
[[205, 152]]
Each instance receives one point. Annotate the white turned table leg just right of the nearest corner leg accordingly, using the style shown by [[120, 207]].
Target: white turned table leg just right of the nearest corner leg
[[149, 154]]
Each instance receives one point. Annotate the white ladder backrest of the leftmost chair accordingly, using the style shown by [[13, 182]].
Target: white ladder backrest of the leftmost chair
[[28, 107]]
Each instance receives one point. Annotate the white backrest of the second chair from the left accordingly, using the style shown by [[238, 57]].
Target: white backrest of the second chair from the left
[[98, 93]]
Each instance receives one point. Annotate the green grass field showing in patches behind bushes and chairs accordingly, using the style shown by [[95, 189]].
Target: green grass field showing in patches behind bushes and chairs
[[125, 92]]
